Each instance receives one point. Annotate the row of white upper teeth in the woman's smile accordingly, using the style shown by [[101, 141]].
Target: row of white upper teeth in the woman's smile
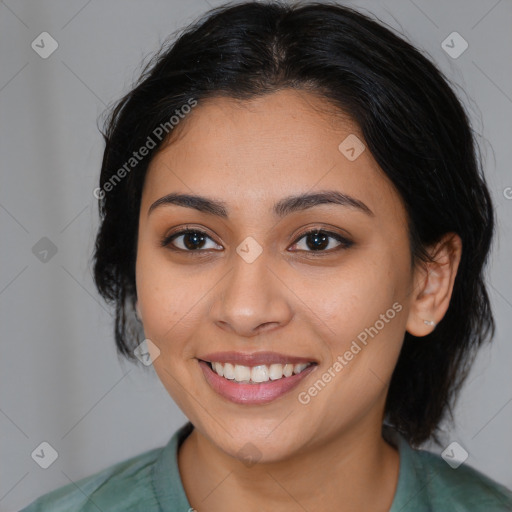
[[257, 374]]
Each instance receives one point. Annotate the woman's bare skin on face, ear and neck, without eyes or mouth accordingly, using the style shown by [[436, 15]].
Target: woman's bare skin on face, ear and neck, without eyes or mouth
[[327, 454]]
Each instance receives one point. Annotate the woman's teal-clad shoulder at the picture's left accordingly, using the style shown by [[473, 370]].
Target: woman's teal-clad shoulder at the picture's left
[[117, 487]]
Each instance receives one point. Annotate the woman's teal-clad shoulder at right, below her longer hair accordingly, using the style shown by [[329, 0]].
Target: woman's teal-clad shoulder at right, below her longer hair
[[462, 488]]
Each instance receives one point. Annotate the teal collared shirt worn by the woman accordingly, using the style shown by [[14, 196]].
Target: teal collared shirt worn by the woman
[[150, 482]]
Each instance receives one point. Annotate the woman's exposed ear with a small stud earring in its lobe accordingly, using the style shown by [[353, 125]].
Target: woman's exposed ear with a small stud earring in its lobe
[[433, 286]]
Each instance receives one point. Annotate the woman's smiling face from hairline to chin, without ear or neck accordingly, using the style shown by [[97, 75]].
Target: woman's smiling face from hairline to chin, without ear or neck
[[255, 292]]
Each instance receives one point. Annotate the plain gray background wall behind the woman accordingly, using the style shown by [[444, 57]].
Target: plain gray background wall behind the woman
[[61, 381]]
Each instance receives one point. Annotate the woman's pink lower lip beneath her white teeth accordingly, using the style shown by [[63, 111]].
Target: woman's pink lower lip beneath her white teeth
[[251, 394]]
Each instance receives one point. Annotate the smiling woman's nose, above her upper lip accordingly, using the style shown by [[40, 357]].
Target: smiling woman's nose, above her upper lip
[[252, 299]]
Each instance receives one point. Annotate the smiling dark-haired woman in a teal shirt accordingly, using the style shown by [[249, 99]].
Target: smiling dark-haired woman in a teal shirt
[[294, 218]]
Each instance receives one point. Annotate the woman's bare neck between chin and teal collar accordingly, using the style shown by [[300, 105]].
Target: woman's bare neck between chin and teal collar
[[352, 471]]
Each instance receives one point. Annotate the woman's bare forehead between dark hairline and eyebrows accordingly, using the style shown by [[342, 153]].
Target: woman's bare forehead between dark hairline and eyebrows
[[253, 152]]
